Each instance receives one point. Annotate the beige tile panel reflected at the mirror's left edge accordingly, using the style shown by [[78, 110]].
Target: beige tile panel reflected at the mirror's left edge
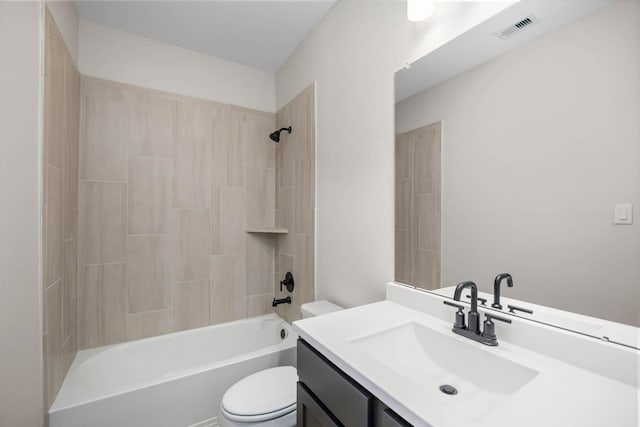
[[418, 198]]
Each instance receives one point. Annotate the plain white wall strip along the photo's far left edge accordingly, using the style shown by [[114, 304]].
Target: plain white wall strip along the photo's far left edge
[[21, 372]]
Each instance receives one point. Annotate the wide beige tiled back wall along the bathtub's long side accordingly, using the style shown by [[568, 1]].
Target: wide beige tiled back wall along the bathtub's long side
[[167, 187]]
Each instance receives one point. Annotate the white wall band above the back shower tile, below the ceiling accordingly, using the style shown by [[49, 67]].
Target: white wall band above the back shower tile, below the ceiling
[[116, 55]]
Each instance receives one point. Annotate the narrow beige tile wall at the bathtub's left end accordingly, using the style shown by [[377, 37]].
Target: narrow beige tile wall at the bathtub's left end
[[60, 203]]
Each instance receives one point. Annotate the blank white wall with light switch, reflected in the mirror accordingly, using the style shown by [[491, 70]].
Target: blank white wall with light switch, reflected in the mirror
[[538, 146]]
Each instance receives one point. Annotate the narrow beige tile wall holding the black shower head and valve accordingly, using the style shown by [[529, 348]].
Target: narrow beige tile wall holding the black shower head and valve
[[295, 201]]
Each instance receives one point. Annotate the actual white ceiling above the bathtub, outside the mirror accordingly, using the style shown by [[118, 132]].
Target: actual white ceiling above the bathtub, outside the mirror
[[260, 34]]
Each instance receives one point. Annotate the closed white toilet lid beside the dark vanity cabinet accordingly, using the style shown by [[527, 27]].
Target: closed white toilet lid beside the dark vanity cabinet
[[265, 394]]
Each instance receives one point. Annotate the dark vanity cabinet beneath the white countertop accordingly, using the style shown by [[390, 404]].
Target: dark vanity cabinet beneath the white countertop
[[329, 397]]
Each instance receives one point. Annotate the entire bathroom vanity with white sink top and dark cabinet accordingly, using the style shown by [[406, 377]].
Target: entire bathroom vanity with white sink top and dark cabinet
[[397, 362]]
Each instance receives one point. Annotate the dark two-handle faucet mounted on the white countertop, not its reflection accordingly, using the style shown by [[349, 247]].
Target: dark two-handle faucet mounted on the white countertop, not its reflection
[[472, 331]]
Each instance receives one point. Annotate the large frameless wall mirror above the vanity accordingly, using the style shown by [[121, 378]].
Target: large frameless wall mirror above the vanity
[[513, 154]]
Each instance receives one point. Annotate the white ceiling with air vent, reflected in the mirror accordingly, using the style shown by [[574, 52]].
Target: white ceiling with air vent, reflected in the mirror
[[480, 43]]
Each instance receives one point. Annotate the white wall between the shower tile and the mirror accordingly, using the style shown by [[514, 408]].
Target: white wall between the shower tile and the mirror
[[353, 54]]
